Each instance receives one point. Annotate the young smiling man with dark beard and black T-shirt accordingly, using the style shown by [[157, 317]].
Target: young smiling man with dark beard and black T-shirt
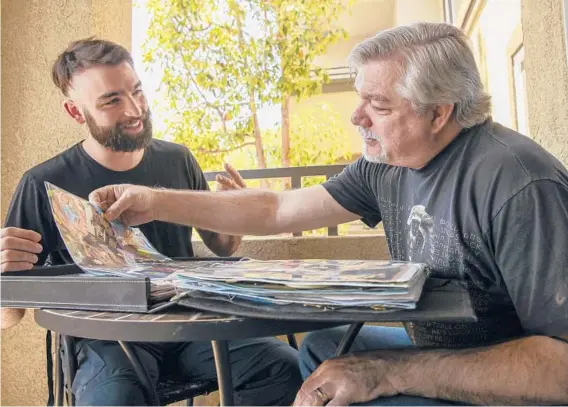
[[102, 90]]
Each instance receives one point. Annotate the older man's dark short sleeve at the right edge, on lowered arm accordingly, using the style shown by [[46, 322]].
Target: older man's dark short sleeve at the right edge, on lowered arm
[[530, 242]]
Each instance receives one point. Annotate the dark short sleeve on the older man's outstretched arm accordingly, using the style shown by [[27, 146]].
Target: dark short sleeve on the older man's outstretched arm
[[353, 190]]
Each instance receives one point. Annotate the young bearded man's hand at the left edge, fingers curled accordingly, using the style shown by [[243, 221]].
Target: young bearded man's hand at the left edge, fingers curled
[[19, 249]]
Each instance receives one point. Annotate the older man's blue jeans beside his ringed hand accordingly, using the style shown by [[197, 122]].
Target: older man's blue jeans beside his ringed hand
[[321, 345]]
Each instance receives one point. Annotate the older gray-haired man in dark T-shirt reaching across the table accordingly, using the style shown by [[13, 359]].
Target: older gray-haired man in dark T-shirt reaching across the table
[[477, 202]]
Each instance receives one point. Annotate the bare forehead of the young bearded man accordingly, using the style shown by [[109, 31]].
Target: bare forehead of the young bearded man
[[90, 83]]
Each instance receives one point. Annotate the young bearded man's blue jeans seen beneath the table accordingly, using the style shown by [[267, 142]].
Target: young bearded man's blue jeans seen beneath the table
[[264, 370]]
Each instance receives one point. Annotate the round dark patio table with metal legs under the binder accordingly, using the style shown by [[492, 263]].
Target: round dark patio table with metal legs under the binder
[[173, 325]]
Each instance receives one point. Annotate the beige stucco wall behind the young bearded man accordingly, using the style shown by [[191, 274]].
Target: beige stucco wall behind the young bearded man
[[34, 128]]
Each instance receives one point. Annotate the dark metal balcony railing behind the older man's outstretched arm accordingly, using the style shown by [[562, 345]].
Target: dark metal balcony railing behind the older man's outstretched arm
[[295, 174]]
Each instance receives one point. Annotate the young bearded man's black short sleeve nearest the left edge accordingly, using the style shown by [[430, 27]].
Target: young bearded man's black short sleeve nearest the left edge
[[29, 209]]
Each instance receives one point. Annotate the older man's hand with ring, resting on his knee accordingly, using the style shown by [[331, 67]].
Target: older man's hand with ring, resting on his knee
[[346, 380]]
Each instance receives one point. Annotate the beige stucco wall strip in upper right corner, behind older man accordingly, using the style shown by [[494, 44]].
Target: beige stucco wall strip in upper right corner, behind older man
[[547, 74]]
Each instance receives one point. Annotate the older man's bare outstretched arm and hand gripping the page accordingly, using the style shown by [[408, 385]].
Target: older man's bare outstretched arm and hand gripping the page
[[253, 212]]
